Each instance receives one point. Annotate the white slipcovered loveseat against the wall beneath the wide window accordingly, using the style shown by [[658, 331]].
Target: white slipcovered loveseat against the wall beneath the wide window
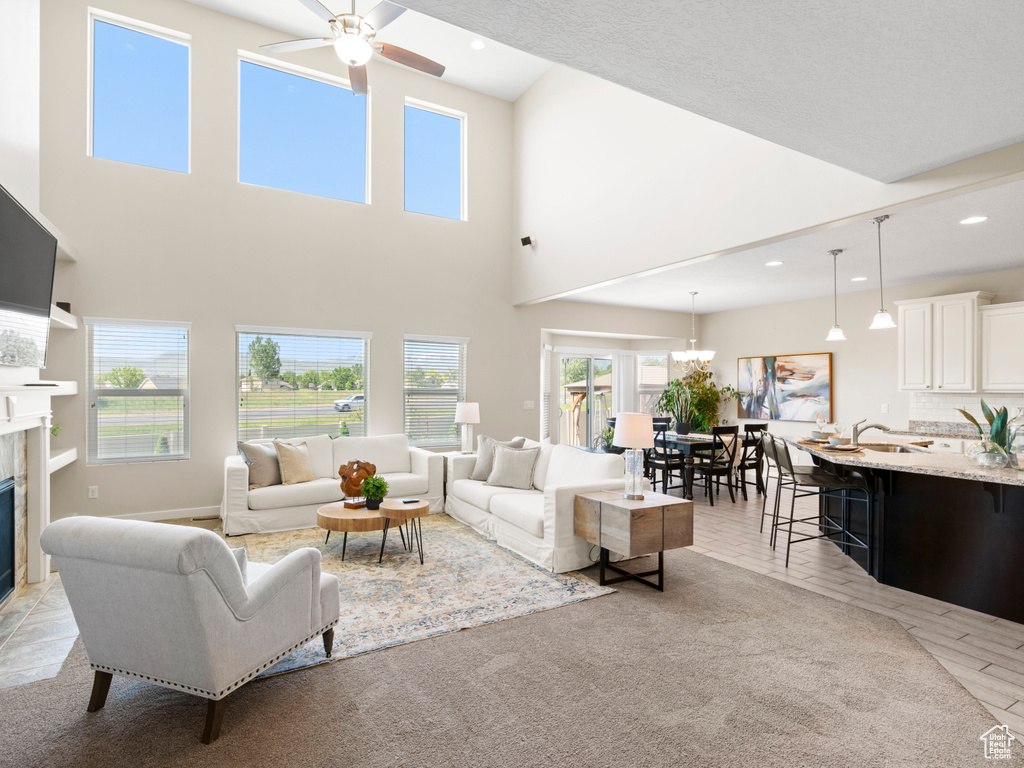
[[410, 472]]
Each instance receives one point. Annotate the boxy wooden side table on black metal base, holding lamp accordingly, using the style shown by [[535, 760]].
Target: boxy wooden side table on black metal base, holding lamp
[[634, 528]]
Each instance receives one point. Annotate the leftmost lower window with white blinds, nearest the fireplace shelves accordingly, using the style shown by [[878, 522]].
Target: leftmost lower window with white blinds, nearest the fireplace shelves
[[138, 389]]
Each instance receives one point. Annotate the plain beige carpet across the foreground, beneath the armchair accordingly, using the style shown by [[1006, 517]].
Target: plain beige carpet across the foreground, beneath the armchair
[[727, 668]]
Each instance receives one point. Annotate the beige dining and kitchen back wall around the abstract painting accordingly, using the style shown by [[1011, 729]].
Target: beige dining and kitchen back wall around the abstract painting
[[864, 366]]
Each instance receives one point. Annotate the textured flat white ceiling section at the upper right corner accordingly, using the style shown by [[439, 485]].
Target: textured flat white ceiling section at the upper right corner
[[885, 90]]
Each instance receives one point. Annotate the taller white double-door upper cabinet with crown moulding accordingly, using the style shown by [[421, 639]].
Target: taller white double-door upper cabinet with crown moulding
[[938, 343]]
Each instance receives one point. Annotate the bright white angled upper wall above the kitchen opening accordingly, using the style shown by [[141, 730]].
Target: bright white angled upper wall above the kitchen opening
[[612, 183]]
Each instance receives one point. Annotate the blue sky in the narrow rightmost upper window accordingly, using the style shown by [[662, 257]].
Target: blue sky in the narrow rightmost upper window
[[434, 163]]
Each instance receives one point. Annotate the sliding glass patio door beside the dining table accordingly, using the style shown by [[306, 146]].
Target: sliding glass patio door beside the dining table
[[584, 399]]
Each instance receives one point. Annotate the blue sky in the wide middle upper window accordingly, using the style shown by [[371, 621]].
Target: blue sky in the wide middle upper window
[[302, 135]]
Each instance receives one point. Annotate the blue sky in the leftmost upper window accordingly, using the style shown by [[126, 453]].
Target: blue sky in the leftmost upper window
[[140, 99]]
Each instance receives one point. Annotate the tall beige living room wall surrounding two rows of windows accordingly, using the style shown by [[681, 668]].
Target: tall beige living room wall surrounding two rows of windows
[[203, 248]]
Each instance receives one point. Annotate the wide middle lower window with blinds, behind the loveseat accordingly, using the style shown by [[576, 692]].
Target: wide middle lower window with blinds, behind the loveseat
[[295, 383]]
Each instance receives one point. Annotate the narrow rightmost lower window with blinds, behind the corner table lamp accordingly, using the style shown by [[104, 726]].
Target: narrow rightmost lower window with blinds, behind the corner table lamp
[[436, 381]]
